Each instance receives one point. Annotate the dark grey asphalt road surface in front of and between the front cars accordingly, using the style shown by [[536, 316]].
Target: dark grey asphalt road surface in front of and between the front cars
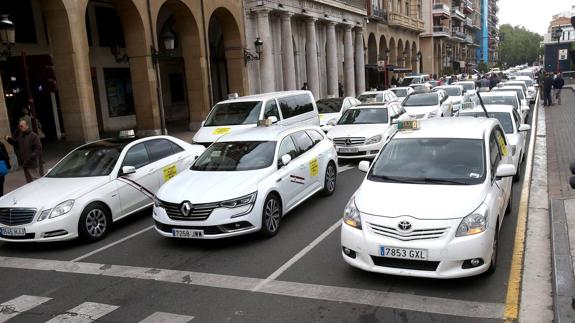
[[296, 276]]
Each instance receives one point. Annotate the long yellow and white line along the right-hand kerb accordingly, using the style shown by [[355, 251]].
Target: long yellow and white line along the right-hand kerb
[[514, 283]]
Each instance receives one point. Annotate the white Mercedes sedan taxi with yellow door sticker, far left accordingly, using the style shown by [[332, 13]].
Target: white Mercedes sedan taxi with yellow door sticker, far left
[[91, 187]]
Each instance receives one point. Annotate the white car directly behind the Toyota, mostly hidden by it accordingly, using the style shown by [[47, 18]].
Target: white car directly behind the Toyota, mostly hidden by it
[[510, 121]]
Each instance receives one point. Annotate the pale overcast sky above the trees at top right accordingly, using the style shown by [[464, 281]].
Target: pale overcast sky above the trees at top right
[[534, 15]]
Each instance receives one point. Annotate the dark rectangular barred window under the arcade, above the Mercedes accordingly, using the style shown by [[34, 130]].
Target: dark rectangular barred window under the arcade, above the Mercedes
[[119, 92]]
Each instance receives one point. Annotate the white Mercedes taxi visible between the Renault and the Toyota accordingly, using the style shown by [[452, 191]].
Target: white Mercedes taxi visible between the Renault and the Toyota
[[362, 130]]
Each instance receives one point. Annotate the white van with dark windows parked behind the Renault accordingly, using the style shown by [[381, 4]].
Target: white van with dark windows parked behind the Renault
[[284, 108]]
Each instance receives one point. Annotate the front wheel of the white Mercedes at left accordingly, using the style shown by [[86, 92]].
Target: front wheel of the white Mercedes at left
[[94, 222]]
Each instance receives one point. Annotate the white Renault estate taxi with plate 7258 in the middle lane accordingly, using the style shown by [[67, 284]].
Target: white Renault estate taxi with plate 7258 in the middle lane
[[246, 182]]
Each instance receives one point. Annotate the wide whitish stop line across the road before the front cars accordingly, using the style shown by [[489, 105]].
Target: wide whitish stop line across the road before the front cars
[[408, 302]]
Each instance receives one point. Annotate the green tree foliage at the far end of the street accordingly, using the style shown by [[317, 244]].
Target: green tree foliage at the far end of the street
[[519, 45]]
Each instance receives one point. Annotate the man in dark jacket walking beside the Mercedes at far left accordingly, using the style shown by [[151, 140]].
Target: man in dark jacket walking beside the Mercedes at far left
[[30, 150]]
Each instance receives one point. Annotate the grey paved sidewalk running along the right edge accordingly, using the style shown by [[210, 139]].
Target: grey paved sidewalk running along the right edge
[[560, 135]]
